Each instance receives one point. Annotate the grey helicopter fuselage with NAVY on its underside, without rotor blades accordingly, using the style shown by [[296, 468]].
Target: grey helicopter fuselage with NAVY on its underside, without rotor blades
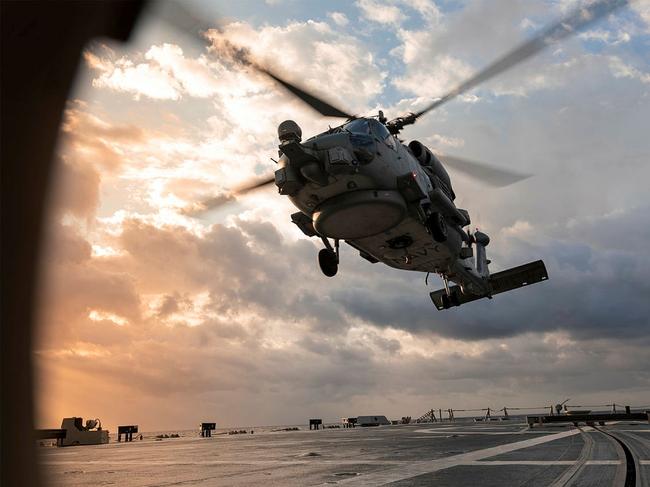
[[360, 184]]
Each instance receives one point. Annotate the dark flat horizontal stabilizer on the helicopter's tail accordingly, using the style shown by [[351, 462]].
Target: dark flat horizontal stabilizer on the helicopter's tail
[[500, 282]]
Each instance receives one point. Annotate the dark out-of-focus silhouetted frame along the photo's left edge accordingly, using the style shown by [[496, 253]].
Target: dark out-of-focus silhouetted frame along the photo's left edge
[[41, 48]]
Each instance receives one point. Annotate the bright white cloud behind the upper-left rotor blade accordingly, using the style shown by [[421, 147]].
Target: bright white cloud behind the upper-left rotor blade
[[164, 72]]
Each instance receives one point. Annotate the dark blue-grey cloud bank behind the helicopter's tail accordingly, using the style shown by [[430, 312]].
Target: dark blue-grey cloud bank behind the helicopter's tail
[[596, 289]]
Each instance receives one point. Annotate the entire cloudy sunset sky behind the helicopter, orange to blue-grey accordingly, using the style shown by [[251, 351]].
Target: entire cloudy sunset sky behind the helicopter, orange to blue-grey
[[150, 315]]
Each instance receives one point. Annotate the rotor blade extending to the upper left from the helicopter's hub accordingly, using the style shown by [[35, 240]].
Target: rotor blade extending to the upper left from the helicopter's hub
[[182, 18]]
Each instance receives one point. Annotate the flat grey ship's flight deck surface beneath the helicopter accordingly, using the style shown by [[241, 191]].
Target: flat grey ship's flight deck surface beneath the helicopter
[[441, 454]]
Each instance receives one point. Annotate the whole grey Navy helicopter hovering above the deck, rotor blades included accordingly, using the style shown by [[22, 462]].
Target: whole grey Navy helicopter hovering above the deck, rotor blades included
[[393, 202]]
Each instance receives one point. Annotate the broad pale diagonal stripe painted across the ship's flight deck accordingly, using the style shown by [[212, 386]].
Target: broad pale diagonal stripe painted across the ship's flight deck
[[414, 469]]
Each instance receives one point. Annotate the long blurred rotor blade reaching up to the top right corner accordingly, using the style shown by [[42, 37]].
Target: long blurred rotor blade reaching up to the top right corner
[[576, 20]]
